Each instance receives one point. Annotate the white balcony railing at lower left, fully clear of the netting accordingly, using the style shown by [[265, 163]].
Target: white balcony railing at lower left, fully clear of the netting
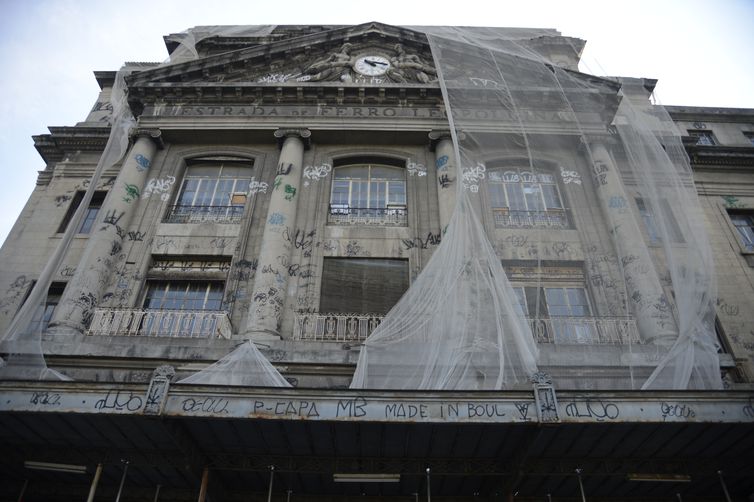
[[161, 323]]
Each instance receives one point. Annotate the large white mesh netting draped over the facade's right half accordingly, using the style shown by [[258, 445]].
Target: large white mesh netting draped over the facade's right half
[[457, 327]]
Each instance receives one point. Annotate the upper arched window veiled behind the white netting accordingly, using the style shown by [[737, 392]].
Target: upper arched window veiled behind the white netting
[[522, 198]]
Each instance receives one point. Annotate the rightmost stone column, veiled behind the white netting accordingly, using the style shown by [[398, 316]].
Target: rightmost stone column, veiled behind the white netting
[[645, 294]]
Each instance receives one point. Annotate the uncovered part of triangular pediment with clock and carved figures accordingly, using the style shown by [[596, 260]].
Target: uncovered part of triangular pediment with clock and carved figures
[[371, 53]]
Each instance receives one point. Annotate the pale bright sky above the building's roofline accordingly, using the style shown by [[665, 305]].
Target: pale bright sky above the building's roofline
[[49, 49]]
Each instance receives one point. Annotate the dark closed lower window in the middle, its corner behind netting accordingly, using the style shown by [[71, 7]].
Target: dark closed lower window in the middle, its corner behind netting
[[362, 285]]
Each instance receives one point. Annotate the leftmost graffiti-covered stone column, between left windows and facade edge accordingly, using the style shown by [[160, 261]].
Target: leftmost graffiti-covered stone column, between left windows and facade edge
[[102, 252]]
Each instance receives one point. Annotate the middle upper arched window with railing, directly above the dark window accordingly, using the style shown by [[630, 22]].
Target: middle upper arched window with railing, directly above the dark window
[[368, 191]]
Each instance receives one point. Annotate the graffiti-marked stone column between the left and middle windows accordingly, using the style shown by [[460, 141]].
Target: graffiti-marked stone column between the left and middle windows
[[271, 282]]
